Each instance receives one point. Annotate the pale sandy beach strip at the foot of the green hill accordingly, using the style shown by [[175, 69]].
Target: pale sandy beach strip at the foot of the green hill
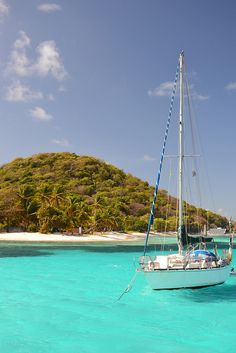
[[62, 238]]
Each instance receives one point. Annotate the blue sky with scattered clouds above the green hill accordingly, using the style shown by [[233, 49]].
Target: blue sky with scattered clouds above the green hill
[[94, 77]]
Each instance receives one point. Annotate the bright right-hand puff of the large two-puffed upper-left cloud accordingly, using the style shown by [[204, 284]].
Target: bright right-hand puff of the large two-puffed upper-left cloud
[[49, 61]]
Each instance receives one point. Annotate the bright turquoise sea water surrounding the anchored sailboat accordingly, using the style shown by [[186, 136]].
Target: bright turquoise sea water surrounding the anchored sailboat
[[63, 300]]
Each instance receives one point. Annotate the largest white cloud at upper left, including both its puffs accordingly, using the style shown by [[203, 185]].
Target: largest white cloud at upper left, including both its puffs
[[47, 62]]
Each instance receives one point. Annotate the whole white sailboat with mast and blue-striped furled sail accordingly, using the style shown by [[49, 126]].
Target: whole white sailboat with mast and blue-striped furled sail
[[193, 266]]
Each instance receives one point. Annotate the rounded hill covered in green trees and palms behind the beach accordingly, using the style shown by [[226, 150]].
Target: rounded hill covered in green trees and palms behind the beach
[[52, 192]]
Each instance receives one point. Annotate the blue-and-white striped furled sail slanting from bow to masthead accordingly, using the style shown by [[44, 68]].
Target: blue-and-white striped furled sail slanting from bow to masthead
[[151, 218]]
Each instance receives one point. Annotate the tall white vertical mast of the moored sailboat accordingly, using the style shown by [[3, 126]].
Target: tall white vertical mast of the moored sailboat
[[181, 128]]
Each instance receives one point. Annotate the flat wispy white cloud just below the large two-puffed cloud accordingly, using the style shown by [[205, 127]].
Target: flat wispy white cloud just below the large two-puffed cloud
[[17, 92]]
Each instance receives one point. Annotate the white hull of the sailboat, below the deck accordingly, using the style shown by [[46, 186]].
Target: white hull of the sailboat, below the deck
[[175, 279]]
